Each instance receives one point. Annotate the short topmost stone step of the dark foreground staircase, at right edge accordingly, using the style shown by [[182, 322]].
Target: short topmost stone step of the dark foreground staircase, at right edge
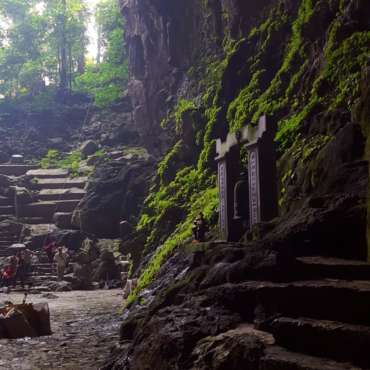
[[309, 268]]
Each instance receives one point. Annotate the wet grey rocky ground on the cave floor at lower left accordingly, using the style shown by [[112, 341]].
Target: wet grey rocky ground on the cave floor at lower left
[[85, 325]]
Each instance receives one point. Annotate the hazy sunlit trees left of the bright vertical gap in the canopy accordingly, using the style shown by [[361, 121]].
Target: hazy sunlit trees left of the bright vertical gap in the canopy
[[41, 43]]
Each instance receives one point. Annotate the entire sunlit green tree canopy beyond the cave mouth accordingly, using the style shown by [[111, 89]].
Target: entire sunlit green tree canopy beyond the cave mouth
[[44, 45]]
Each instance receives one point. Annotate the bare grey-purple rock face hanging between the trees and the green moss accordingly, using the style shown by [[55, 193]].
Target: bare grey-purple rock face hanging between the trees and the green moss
[[165, 39]]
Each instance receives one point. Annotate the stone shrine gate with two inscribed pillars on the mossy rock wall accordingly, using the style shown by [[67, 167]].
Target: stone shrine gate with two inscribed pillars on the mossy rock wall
[[261, 199]]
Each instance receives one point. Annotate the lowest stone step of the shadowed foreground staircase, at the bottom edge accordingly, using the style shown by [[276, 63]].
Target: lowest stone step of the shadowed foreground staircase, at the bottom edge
[[278, 358]]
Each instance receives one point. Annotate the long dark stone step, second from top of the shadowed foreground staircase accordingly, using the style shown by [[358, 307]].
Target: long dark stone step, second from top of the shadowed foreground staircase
[[338, 300]]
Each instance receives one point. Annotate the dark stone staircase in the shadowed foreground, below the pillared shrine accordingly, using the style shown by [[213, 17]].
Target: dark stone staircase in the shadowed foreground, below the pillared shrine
[[321, 321]]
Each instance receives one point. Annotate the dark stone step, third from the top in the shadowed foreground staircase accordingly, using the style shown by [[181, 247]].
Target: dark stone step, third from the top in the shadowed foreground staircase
[[322, 338]]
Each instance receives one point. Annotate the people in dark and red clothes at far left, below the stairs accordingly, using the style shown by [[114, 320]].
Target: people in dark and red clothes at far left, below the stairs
[[17, 268]]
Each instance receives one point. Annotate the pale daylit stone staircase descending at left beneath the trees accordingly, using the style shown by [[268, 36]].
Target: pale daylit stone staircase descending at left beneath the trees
[[54, 194]]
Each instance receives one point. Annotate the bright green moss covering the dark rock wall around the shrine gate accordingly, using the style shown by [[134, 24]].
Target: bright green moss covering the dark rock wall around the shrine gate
[[287, 83]]
